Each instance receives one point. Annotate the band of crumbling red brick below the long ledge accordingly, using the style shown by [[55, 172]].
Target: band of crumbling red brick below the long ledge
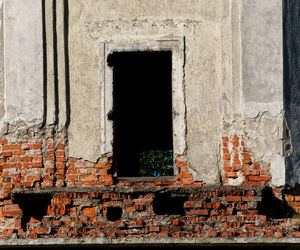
[[230, 212]]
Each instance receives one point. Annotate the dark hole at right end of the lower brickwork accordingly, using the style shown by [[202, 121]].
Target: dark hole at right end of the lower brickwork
[[273, 207]]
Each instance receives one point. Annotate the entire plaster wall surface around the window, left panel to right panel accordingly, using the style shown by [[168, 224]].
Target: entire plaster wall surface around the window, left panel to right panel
[[232, 81]]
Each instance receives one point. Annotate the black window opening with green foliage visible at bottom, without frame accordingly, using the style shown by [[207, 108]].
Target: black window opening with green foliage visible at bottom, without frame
[[142, 113]]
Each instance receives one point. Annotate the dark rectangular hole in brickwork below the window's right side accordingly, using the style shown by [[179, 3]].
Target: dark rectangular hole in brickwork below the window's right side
[[169, 204]]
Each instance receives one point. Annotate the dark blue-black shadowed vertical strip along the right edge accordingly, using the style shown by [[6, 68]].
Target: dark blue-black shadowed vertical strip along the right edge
[[291, 87]]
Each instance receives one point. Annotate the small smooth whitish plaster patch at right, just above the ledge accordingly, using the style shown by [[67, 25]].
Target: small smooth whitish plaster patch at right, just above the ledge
[[278, 170]]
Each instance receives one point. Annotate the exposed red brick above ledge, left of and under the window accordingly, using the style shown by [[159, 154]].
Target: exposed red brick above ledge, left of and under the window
[[43, 163]]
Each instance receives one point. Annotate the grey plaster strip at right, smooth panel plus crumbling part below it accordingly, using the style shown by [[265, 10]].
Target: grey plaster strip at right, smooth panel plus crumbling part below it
[[262, 77]]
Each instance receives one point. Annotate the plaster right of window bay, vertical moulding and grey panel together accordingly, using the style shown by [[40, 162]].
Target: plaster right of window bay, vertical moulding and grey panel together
[[252, 76]]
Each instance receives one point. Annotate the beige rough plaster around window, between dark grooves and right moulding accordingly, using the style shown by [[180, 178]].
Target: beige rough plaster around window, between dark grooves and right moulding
[[93, 23]]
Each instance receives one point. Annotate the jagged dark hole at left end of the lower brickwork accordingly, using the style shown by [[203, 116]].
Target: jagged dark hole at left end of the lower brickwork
[[32, 205]]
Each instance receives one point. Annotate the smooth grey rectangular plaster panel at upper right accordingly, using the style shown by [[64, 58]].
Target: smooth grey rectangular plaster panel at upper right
[[262, 56]]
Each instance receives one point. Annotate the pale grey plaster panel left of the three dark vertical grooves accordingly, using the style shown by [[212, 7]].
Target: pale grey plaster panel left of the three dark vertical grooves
[[23, 60]]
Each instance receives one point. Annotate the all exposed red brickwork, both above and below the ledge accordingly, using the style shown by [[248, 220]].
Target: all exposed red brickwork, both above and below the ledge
[[40, 164]]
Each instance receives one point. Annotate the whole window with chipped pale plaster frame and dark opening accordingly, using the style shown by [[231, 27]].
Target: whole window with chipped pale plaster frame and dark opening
[[143, 107]]
